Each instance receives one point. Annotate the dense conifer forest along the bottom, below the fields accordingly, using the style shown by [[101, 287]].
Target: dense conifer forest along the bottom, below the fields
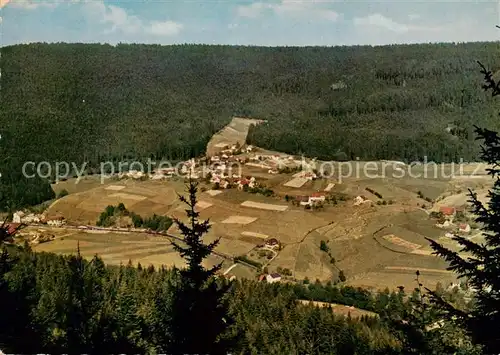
[[69, 305]]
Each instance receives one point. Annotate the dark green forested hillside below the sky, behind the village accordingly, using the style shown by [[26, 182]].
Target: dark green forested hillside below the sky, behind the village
[[78, 102]]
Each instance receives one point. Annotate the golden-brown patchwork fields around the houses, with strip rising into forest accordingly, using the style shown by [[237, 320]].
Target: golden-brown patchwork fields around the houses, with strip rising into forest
[[378, 244]]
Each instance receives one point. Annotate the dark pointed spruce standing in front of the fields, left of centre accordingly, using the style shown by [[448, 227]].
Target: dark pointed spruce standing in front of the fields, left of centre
[[198, 316]]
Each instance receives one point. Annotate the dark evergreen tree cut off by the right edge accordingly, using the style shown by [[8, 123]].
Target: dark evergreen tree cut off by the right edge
[[482, 269]]
